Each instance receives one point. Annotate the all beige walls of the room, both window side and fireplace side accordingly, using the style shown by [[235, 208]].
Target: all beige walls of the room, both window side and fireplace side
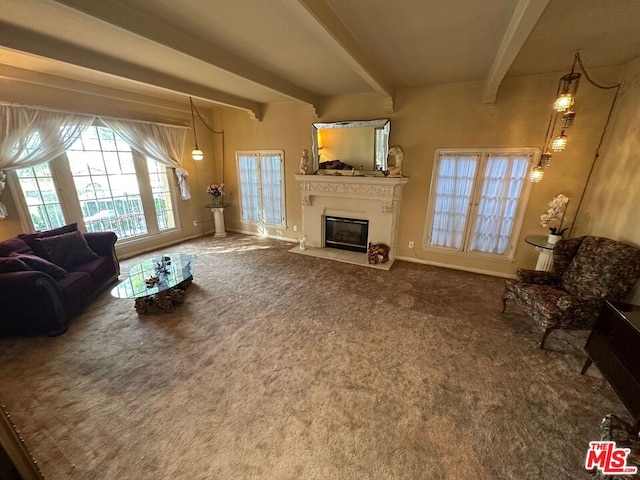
[[427, 118]]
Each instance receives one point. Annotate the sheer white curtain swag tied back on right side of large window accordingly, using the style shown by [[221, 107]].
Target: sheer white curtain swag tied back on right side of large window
[[161, 143]]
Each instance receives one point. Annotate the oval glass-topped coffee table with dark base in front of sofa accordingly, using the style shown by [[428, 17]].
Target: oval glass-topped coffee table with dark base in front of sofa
[[158, 283]]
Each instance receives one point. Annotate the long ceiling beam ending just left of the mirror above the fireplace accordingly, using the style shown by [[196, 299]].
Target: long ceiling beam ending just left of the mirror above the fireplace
[[154, 29]]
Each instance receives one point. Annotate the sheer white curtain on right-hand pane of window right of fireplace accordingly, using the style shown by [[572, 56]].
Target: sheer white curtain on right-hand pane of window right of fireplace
[[503, 181]]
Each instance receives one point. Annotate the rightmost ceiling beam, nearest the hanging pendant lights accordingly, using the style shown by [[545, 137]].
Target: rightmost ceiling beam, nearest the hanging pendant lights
[[524, 18]]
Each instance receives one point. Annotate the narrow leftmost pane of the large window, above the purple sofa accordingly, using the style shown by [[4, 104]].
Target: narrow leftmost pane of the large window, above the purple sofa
[[39, 192]]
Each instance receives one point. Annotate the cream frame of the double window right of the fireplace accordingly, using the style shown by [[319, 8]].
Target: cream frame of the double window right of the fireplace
[[483, 153]]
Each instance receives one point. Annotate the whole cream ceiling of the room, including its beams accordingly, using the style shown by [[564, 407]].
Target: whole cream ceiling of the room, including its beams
[[246, 53]]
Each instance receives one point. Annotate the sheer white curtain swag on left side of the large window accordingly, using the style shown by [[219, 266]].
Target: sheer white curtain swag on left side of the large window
[[29, 136]]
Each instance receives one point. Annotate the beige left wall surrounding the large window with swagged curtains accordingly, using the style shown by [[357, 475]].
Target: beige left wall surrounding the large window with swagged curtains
[[117, 104]]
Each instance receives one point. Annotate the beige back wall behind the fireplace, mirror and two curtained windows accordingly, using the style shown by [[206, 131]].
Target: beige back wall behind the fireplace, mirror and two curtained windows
[[444, 116]]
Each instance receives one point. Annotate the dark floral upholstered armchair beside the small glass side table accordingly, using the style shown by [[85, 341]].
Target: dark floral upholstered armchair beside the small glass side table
[[586, 272]]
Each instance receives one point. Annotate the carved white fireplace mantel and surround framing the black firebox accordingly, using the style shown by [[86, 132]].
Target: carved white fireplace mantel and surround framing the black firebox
[[376, 199]]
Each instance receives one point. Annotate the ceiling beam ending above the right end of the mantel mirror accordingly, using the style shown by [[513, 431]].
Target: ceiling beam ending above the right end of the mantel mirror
[[319, 17]]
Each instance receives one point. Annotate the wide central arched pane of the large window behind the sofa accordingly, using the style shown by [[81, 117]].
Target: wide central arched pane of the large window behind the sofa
[[109, 199]]
